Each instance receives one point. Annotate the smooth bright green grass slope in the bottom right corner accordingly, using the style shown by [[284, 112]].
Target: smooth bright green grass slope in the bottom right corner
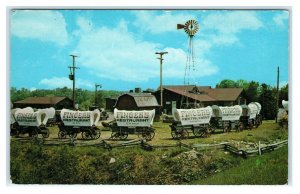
[[268, 169]]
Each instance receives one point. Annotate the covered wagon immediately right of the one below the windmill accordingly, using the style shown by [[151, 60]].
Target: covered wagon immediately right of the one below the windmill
[[227, 118]]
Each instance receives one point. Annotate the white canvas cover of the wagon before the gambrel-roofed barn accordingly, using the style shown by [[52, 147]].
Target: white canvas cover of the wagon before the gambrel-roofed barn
[[134, 118]]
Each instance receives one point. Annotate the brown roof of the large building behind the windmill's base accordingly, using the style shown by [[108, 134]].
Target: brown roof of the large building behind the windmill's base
[[206, 93]]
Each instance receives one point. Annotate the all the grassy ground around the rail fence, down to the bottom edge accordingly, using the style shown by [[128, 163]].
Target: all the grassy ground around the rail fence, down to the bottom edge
[[89, 164]]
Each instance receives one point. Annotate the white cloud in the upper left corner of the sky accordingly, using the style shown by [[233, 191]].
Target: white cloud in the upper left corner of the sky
[[44, 25]]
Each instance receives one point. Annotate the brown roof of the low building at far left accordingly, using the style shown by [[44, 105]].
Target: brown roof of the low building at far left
[[42, 100]]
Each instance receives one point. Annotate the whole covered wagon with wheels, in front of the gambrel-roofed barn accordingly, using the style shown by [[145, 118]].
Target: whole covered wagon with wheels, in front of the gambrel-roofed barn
[[132, 122]]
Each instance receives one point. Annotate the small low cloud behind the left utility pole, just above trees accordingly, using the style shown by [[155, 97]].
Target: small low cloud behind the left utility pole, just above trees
[[59, 82]]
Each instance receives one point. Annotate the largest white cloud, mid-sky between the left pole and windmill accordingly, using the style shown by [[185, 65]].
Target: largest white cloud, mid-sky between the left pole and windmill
[[115, 53]]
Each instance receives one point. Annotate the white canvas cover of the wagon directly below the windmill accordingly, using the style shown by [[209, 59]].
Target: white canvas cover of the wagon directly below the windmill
[[193, 116]]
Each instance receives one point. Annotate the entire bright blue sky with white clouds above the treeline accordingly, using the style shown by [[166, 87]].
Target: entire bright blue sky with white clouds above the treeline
[[116, 48]]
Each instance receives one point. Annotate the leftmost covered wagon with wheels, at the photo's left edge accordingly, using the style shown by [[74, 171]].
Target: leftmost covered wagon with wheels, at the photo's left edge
[[27, 120]]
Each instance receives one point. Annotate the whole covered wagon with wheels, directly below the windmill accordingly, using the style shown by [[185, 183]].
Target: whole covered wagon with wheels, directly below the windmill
[[194, 121]]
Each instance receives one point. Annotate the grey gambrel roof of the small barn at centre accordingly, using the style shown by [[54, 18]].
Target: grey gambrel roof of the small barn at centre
[[143, 99]]
